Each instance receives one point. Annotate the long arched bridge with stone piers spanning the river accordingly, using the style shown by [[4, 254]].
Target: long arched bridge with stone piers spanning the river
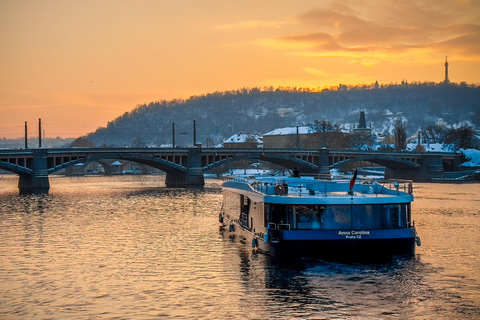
[[185, 167]]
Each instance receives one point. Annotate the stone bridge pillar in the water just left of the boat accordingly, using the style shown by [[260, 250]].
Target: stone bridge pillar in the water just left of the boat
[[194, 175]]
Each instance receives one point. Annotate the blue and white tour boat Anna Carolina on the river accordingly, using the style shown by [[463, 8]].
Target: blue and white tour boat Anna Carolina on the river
[[309, 217]]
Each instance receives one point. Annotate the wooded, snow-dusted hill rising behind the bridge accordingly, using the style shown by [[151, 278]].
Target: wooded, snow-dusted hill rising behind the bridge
[[221, 114]]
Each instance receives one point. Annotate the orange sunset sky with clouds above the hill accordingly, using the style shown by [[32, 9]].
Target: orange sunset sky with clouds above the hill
[[79, 64]]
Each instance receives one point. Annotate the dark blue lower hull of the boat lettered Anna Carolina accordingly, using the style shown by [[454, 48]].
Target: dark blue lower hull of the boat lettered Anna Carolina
[[345, 245]]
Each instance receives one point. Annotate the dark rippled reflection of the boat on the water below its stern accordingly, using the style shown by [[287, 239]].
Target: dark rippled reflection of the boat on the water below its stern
[[309, 287]]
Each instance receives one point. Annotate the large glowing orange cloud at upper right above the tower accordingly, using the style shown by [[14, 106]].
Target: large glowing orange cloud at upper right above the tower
[[394, 31]]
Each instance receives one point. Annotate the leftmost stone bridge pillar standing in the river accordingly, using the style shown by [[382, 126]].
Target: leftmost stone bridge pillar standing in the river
[[36, 183]]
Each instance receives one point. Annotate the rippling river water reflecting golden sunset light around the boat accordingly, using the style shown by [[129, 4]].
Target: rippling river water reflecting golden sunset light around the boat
[[125, 248]]
